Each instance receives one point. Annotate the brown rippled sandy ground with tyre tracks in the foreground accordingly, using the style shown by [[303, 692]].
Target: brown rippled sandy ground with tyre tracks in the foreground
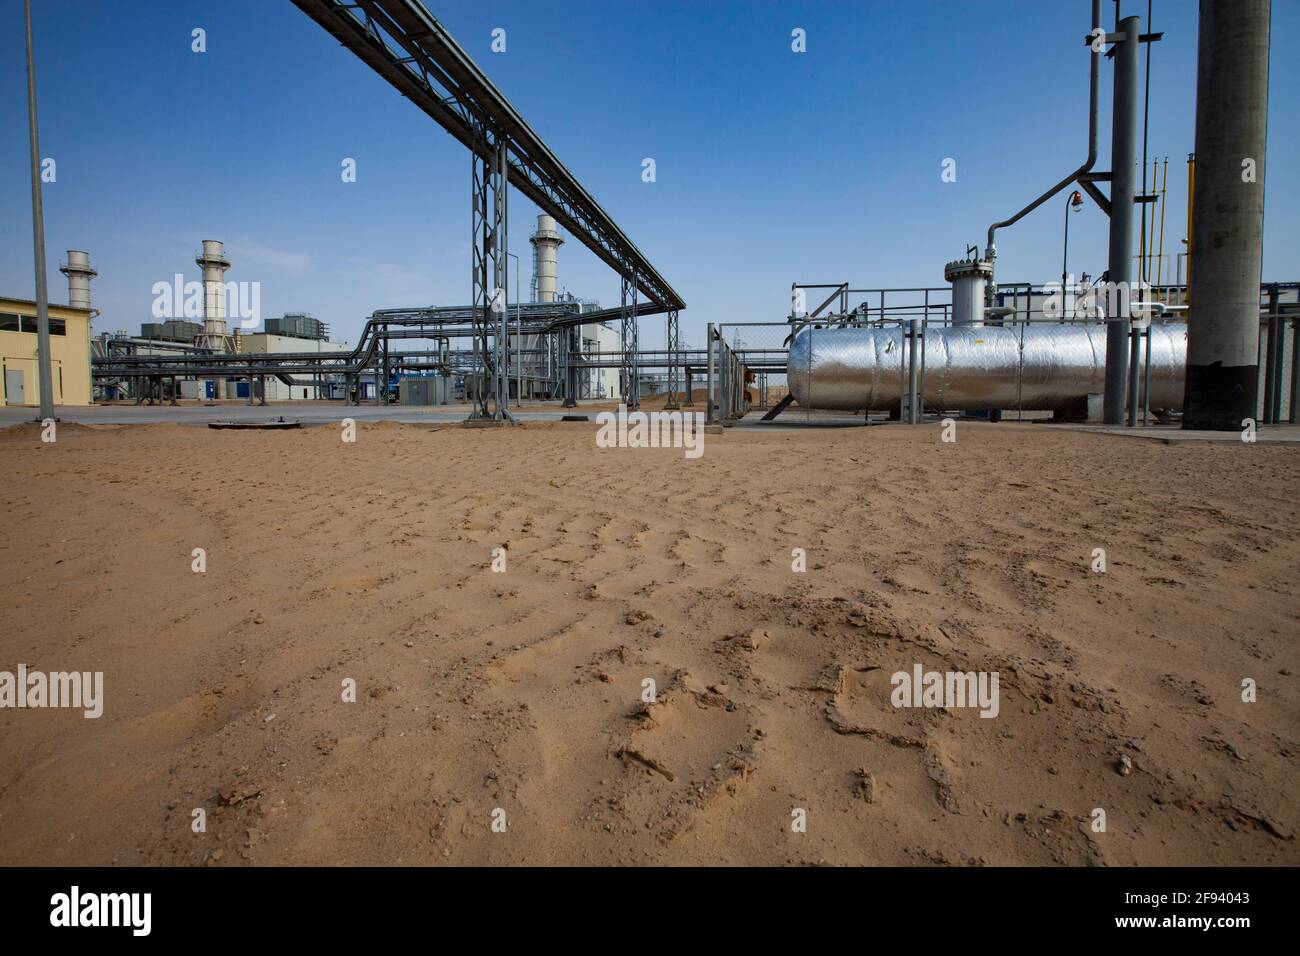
[[522, 691]]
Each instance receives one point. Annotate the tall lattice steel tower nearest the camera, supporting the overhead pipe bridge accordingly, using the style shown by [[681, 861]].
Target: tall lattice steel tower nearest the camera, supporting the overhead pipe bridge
[[491, 187]]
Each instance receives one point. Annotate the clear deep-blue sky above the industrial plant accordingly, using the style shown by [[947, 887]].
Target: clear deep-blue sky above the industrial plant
[[773, 167]]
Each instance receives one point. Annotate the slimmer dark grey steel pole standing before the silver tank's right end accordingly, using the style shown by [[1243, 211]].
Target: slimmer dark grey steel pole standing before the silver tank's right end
[[1124, 140]]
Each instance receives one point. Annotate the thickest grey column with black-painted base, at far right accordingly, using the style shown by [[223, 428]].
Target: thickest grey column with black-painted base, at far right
[[1228, 214]]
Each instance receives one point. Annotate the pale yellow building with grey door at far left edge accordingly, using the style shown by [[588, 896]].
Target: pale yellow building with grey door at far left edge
[[70, 353]]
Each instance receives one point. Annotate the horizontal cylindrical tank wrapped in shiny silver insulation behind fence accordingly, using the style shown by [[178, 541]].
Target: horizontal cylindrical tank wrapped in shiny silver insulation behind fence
[[1034, 367]]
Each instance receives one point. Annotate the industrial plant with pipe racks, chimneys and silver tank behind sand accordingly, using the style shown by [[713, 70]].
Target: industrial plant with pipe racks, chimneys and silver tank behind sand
[[1112, 348]]
